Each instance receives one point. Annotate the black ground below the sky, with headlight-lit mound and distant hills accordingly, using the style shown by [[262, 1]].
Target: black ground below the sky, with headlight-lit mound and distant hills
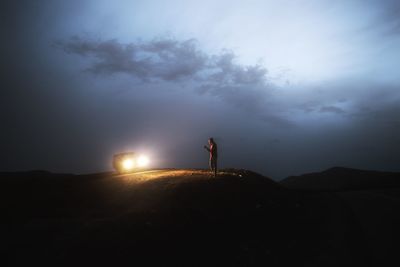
[[188, 218]]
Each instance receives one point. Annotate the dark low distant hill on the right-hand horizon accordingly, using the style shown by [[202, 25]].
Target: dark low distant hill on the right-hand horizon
[[340, 178]]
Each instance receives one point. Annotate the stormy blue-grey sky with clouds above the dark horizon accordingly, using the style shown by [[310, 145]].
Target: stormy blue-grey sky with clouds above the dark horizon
[[284, 87]]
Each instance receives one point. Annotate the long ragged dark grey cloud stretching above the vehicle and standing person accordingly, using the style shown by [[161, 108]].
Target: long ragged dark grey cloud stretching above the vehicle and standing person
[[164, 59]]
